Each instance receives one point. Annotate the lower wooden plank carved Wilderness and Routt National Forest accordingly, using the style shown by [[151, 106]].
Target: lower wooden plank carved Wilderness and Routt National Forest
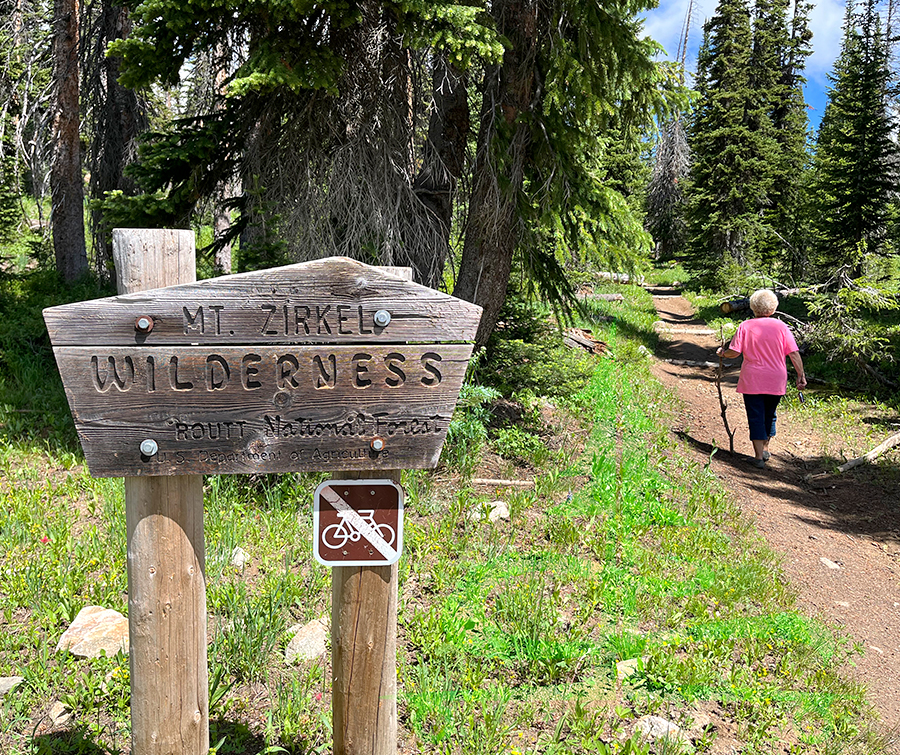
[[262, 408]]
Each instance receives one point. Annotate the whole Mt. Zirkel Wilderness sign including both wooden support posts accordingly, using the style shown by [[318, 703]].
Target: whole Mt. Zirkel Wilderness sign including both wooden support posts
[[329, 365]]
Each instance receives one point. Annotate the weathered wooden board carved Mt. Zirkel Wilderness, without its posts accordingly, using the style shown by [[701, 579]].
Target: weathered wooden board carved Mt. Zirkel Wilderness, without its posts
[[325, 365]]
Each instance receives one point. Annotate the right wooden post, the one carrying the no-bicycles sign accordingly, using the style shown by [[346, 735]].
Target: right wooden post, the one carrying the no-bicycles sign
[[364, 655]]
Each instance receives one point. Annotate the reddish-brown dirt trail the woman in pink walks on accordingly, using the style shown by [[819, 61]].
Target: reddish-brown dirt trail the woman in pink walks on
[[841, 540]]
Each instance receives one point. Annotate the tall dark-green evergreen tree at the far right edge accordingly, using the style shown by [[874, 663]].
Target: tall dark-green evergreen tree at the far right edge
[[855, 155]]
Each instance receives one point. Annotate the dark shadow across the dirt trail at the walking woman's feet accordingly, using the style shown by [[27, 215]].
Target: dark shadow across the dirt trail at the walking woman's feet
[[864, 502]]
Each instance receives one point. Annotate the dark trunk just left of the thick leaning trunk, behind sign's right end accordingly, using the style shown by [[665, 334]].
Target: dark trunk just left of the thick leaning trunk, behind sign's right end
[[444, 159]]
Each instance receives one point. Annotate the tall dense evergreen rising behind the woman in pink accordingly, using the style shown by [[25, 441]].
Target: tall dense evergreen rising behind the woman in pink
[[747, 137]]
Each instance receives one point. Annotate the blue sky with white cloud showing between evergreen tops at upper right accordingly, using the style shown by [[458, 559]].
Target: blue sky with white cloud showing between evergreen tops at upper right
[[665, 23]]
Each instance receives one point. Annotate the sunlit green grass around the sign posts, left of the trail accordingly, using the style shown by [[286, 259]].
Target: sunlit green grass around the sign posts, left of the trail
[[509, 632]]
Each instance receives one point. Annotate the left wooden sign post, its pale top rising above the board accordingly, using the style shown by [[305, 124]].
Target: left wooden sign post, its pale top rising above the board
[[166, 553]]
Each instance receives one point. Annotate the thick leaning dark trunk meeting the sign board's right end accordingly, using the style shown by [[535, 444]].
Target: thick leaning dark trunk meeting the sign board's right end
[[493, 227]]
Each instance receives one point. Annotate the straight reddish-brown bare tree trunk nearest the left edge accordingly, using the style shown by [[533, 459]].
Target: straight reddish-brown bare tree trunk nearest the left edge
[[67, 188]]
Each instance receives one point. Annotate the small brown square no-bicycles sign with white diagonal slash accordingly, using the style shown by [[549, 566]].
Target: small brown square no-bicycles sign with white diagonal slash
[[358, 522]]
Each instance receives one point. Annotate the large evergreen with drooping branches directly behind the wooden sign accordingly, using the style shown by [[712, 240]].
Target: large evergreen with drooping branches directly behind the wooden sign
[[323, 122]]
